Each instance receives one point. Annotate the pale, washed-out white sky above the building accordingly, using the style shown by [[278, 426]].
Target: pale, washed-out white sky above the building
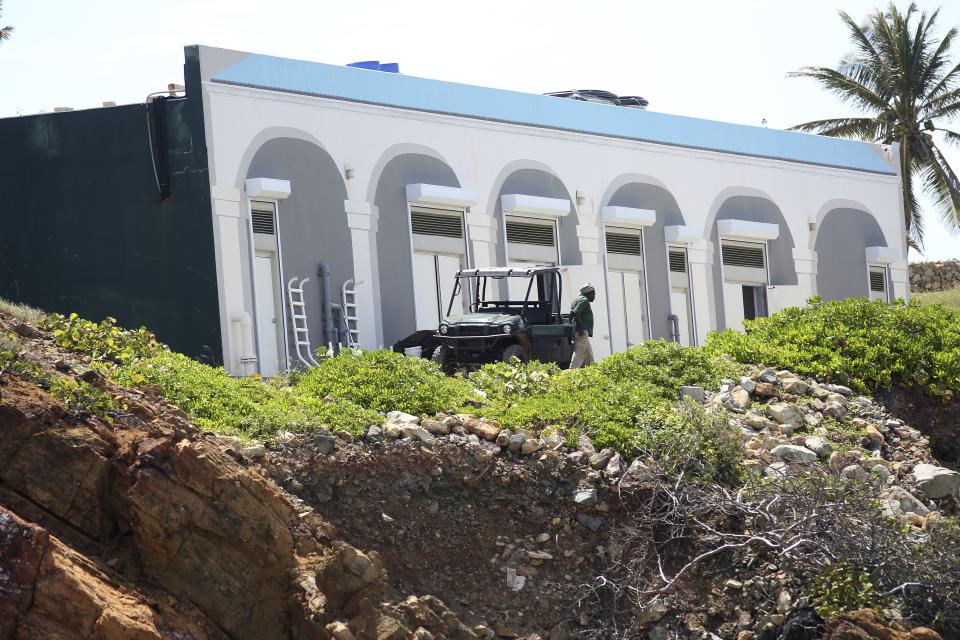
[[719, 60]]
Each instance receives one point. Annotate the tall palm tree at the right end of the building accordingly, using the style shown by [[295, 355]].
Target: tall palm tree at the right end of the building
[[900, 74]]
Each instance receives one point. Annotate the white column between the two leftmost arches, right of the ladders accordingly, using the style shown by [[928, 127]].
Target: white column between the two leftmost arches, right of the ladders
[[362, 220]]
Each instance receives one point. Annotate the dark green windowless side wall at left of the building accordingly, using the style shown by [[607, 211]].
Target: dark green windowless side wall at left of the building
[[83, 227]]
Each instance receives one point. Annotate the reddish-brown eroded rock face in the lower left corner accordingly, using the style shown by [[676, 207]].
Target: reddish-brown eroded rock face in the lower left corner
[[226, 552]]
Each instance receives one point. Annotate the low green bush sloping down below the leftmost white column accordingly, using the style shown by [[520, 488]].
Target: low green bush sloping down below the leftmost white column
[[244, 407]]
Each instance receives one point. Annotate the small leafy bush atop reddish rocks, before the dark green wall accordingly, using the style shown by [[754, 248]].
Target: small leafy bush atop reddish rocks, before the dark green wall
[[104, 341]]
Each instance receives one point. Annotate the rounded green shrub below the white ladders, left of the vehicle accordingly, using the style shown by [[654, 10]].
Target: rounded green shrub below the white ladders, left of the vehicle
[[385, 381]]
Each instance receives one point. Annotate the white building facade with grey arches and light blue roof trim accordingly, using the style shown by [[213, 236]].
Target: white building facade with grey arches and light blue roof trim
[[395, 182]]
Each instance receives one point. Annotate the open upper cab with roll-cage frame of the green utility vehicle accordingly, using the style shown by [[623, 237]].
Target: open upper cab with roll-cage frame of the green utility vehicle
[[514, 293]]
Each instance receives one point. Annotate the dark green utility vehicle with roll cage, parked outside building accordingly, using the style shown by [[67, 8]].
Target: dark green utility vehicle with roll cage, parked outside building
[[492, 330]]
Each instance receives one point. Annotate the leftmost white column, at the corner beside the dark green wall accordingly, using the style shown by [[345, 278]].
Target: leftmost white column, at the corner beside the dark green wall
[[230, 247]]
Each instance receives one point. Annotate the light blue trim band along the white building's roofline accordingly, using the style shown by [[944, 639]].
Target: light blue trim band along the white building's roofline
[[435, 96]]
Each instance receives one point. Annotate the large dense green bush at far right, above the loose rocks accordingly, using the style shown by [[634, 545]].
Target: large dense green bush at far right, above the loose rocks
[[865, 344]]
